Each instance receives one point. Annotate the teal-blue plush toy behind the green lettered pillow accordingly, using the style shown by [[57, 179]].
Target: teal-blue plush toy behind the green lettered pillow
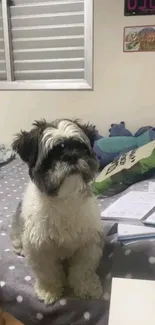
[[121, 140]]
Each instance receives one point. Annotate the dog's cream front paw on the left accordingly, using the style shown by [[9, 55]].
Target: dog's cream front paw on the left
[[50, 295]]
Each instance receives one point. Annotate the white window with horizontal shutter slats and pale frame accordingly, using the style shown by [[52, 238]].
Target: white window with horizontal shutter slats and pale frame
[[48, 47]]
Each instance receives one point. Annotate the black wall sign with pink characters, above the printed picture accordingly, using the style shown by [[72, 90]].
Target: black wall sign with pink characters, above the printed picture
[[139, 7]]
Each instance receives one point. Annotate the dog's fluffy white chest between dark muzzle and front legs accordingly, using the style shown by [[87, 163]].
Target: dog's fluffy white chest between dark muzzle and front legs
[[68, 220]]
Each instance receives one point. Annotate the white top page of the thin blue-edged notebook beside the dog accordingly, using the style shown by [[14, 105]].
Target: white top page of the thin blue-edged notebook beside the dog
[[125, 230]]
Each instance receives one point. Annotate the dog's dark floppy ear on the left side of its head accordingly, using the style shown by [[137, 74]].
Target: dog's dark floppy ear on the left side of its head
[[26, 145]]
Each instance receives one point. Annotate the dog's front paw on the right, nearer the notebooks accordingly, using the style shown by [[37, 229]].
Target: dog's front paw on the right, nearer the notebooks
[[89, 288]]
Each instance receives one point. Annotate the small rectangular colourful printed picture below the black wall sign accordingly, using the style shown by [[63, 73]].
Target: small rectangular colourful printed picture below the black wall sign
[[139, 39]]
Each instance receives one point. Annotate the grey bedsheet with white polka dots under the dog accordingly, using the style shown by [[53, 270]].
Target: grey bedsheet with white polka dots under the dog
[[16, 278]]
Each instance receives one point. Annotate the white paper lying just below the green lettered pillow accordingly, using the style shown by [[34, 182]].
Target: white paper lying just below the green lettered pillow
[[133, 205]]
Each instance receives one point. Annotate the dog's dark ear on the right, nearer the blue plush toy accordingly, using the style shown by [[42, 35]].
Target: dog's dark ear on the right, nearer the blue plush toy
[[89, 130]]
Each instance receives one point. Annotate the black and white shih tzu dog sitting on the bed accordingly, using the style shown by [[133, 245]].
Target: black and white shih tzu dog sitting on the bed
[[59, 218]]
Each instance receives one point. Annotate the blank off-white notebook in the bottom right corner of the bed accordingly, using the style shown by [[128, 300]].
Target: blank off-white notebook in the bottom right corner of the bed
[[132, 302]]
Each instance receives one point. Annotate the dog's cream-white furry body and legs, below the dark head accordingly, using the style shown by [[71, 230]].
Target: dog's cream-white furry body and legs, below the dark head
[[65, 226]]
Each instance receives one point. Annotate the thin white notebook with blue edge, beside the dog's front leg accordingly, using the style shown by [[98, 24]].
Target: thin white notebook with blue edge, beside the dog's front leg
[[127, 232]]
